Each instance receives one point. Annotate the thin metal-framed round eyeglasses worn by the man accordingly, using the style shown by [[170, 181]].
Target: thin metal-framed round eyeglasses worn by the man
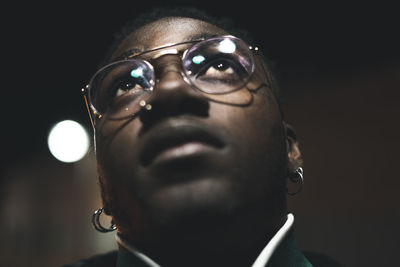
[[217, 65]]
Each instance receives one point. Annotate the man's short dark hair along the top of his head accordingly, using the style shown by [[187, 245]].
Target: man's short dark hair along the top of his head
[[157, 13]]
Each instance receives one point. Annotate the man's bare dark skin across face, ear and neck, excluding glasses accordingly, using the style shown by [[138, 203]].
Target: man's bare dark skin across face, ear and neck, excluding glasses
[[205, 203]]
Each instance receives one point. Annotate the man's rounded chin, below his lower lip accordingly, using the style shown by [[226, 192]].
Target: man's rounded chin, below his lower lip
[[197, 203]]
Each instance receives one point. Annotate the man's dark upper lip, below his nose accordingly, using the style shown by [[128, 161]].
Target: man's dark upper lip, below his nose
[[173, 133]]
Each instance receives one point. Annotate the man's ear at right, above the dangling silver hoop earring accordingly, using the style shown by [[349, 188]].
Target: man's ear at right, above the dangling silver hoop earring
[[295, 159]]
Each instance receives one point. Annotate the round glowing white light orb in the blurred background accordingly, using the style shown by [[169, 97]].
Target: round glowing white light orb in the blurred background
[[68, 141]]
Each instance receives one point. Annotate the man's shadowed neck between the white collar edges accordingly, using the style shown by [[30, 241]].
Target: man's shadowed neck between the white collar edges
[[234, 244]]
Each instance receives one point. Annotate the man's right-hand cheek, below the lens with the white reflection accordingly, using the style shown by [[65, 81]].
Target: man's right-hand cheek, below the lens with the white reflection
[[256, 137]]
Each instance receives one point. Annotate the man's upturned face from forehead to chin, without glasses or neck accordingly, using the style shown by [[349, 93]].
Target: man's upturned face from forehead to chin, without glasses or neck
[[190, 160]]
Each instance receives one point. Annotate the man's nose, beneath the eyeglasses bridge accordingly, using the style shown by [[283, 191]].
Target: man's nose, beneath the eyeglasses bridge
[[172, 95]]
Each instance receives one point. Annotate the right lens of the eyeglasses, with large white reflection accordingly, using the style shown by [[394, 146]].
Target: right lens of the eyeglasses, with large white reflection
[[218, 65]]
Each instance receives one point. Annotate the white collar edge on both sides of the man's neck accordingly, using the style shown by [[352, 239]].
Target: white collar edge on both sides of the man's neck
[[261, 261]]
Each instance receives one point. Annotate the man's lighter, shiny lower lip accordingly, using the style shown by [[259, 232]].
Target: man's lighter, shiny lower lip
[[183, 151]]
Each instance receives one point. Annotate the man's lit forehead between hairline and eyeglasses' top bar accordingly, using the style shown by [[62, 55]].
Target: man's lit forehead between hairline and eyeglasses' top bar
[[166, 31]]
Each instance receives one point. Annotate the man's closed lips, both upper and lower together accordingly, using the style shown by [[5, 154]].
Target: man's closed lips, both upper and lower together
[[178, 138]]
